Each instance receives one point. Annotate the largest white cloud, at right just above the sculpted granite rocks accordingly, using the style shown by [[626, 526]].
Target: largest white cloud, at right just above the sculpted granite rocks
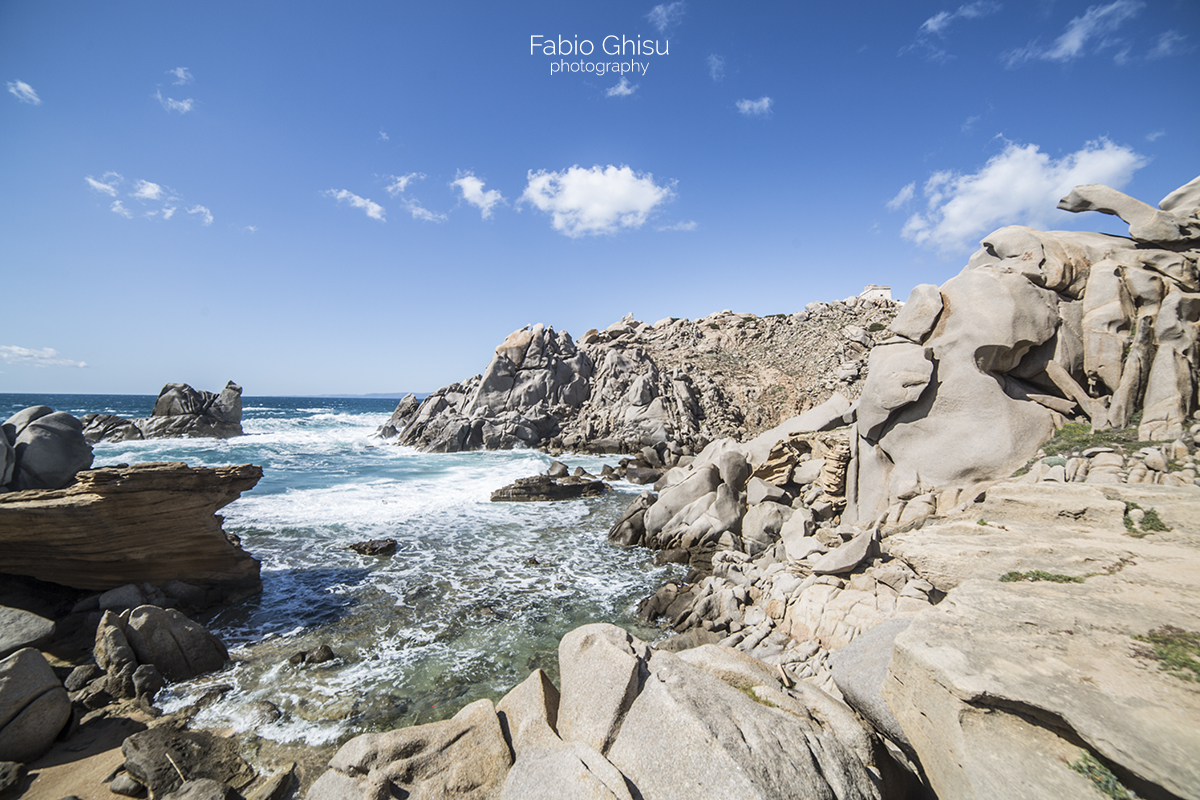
[[1019, 187]]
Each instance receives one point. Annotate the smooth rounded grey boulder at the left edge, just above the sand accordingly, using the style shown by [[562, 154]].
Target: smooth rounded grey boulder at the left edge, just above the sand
[[34, 707]]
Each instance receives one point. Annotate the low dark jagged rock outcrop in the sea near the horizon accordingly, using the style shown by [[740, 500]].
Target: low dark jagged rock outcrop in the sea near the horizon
[[179, 412]]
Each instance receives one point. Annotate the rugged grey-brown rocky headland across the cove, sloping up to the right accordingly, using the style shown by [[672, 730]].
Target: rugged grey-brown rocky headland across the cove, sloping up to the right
[[675, 386]]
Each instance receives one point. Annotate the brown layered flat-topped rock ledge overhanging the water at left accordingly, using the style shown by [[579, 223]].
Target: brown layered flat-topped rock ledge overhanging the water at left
[[149, 524]]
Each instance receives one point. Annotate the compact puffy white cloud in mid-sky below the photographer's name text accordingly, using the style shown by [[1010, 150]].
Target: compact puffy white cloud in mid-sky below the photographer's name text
[[598, 201]]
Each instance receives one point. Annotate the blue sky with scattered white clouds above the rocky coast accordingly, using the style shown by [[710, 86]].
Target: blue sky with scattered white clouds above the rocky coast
[[315, 199]]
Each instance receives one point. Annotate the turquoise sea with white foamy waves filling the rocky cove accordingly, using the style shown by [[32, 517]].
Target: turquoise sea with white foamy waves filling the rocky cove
[[477, 596]]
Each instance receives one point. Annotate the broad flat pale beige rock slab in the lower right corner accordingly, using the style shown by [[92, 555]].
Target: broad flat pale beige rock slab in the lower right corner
[[999, 684]]
